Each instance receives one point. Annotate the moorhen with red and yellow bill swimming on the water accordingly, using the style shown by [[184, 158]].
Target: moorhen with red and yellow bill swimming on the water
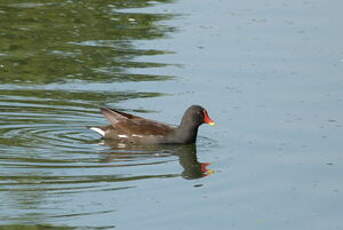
[[128, 128]]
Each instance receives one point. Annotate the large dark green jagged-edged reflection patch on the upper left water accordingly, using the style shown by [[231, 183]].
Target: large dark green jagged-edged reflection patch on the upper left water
[[56, 42]]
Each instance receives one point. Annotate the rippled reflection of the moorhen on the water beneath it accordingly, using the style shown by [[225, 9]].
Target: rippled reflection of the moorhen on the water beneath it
[[133, 155]]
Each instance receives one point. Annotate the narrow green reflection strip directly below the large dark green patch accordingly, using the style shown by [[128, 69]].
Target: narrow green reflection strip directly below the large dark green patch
[[76, 101]]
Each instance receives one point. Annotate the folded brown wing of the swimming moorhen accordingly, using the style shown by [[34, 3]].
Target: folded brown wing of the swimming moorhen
[[130, 124]]
